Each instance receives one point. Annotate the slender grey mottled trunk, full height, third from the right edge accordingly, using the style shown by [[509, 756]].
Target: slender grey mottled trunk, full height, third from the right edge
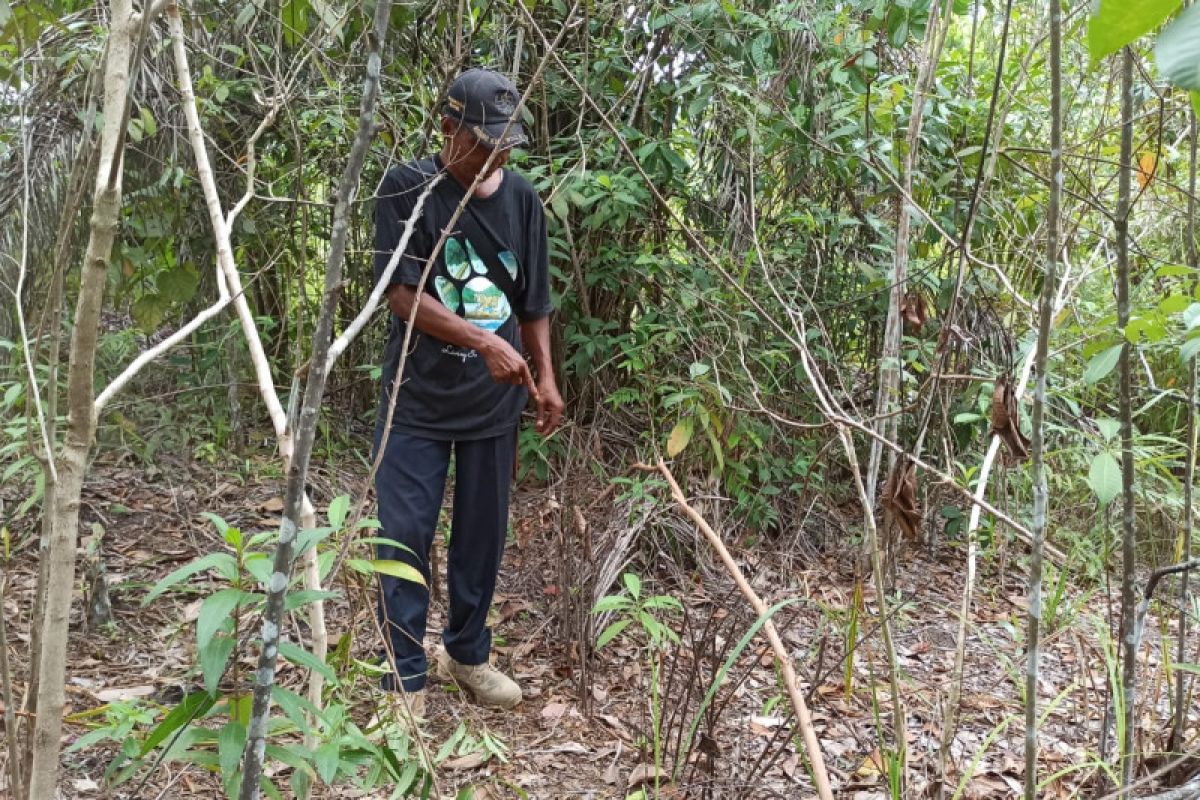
[[1041, 492]]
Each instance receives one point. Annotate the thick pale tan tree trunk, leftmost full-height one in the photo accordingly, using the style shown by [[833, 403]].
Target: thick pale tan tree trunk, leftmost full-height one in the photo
[[73, 460]]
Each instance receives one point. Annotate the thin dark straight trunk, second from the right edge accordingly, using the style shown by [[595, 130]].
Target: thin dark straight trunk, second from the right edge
[[1129, 536]]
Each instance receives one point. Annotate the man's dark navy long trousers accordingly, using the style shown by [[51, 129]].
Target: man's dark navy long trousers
[[410, 485]]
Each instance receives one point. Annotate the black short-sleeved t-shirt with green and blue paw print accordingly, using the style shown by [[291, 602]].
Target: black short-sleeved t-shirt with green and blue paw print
[[493, 272]]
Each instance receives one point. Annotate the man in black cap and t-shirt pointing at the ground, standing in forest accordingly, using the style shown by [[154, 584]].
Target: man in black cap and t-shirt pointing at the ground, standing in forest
[[465, 383]]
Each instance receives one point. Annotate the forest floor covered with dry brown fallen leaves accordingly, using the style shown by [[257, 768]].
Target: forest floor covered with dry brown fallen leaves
[[562, 745]]
